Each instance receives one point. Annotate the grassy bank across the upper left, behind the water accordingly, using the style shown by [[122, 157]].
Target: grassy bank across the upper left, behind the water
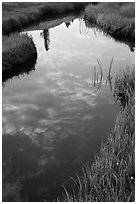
[[16, 16]]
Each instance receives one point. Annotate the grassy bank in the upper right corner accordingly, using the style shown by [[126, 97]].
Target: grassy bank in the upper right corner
[[115, 19]]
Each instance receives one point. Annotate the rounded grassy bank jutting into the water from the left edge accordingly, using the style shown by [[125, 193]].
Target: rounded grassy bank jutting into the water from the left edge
[[16, 50]]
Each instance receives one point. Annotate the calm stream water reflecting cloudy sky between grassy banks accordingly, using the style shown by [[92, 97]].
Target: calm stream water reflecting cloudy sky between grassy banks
[[54, 119]]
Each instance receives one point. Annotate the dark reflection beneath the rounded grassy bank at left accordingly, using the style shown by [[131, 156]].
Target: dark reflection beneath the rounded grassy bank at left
[[20, 71]]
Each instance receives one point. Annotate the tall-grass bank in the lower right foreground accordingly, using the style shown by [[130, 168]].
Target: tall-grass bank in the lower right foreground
[[112, 176]]
